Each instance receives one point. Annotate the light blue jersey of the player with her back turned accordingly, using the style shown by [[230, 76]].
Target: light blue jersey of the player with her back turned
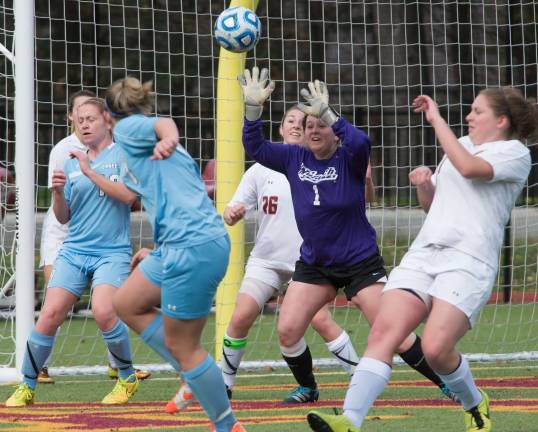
[[172, 191]]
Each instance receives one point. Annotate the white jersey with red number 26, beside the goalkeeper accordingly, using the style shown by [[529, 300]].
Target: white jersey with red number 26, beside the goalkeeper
[[277, 240]]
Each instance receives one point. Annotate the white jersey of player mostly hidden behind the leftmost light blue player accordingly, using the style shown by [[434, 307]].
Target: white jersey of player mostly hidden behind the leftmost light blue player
[[53, 232]]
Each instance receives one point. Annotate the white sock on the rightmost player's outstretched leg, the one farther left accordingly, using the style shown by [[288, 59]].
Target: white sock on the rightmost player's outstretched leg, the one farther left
[[370, 378]]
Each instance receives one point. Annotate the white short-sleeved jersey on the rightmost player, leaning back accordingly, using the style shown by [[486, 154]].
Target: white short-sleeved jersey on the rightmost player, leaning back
[[470, 215]]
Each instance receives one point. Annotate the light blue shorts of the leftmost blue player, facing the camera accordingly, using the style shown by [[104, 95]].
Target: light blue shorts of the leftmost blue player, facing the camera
[[73, 271]]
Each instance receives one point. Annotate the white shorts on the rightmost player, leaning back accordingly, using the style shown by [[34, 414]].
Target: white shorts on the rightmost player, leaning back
[[447, 274]]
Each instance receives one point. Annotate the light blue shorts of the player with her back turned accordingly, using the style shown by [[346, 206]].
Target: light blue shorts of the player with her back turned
[[190, 278]]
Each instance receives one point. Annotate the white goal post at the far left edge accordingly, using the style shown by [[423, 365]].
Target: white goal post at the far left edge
[[23, 68]]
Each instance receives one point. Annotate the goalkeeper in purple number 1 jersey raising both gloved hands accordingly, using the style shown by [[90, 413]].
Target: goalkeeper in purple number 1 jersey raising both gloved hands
[[339, 247]]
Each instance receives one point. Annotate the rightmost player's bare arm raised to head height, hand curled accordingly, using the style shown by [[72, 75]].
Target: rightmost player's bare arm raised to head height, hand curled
[[468, 165]]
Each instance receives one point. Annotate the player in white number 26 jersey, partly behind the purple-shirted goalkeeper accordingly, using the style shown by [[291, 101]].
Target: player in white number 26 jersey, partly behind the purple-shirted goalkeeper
[[265, 194]]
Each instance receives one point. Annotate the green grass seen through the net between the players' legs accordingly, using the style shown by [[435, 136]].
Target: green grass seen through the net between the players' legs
[[501, 328]]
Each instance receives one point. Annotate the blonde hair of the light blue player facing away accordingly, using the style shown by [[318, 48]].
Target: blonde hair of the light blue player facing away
[[129, 96]]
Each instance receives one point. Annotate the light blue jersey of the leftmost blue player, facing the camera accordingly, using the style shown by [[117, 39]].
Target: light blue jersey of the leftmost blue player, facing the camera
[[99, 224]]
